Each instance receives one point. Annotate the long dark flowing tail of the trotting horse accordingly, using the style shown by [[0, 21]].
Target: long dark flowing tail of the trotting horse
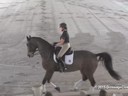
[[107, 59]]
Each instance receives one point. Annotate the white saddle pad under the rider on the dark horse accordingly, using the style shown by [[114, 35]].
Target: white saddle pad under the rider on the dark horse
[[68, 59]]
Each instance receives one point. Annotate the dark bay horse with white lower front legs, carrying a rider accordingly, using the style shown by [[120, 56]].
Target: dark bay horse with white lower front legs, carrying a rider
[[84, 61]]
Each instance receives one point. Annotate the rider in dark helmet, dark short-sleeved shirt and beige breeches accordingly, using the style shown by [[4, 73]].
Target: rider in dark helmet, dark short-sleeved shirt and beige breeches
[[64, 44]]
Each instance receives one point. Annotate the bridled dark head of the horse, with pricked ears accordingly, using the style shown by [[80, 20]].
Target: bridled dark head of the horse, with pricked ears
[[31, 46]]
